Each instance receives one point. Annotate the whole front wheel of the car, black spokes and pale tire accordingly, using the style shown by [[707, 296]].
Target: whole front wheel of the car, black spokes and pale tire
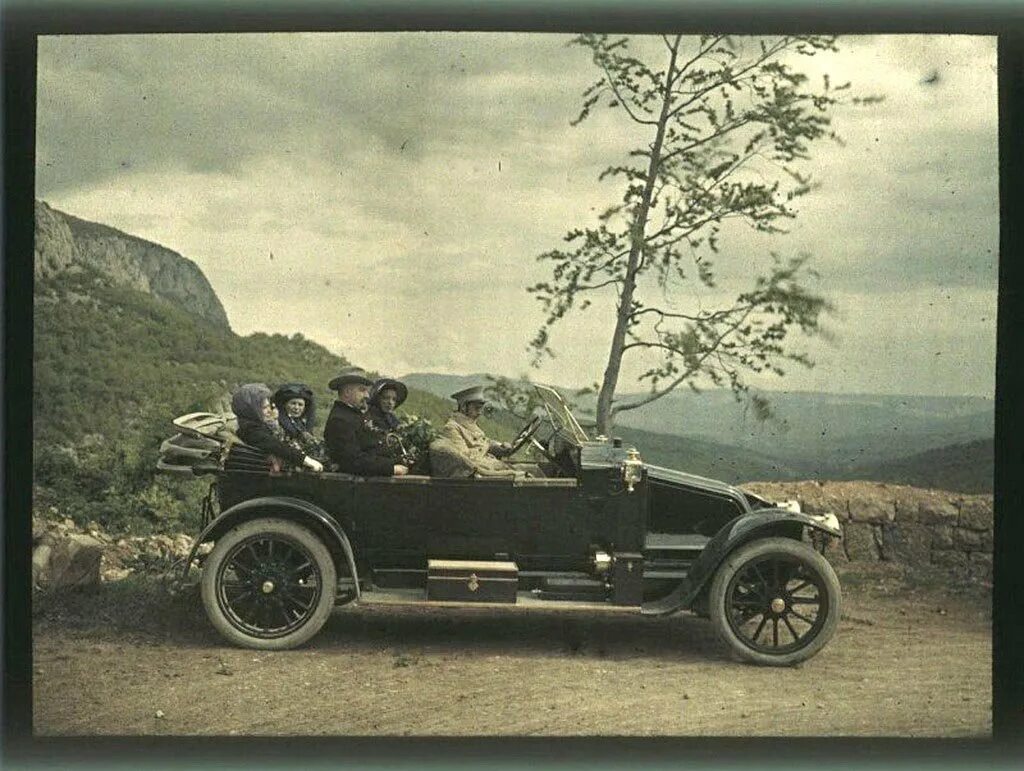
[[776, 602]]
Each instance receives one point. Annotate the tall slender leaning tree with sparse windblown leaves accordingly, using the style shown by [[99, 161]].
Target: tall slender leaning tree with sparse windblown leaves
[[727, 120]]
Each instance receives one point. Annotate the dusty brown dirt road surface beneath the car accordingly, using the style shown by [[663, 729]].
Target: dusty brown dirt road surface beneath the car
[[909, 661]]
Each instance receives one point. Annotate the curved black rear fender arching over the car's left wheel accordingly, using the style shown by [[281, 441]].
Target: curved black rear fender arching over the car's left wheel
[[280, 507]]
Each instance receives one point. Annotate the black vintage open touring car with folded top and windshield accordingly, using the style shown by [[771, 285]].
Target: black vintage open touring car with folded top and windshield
[[605, 532]]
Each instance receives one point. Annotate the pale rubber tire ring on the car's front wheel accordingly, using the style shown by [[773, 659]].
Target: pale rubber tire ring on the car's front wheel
[[761, 548]]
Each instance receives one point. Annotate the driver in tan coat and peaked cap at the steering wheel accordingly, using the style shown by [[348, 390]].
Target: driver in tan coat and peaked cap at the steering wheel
[[462, 450]]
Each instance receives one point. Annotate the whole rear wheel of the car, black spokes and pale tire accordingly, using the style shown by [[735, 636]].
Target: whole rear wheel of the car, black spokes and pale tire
[[269, 584]]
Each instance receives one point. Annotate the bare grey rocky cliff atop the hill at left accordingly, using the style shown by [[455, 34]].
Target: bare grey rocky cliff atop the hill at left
[[65, 244]]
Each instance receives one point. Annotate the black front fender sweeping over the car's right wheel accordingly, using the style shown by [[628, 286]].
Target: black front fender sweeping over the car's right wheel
[[758, 525]]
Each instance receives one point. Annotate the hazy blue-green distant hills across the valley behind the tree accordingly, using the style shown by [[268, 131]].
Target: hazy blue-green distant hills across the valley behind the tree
[[813, 437]]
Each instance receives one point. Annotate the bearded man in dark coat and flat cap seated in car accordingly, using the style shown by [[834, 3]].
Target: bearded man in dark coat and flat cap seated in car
[[352, 443]]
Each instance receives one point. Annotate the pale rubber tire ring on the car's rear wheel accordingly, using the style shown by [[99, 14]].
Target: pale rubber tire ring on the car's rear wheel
[[317, 550]]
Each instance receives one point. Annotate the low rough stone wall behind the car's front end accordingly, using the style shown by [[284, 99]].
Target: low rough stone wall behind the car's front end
[[898, 524]]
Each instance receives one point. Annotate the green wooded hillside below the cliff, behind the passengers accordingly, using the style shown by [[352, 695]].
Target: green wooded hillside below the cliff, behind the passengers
[[114, 366]]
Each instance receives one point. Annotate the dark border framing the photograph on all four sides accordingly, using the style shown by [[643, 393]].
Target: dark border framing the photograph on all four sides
[[22, 22]]
